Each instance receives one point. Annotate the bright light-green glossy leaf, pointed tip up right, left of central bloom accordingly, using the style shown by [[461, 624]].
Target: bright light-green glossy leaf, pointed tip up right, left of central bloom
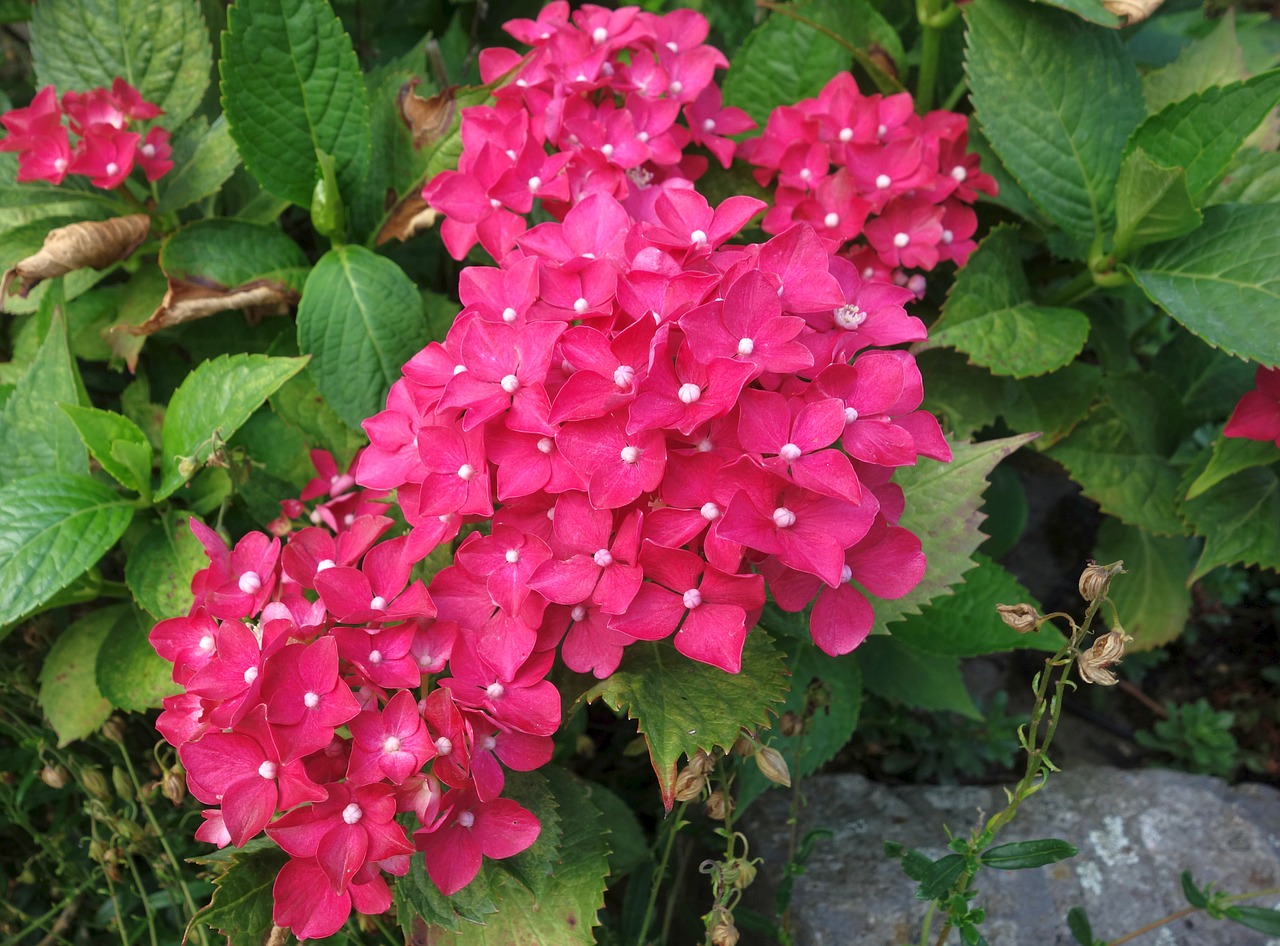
[[211, 405]]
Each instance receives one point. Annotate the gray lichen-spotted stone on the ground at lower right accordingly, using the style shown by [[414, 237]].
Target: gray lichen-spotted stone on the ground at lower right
[[1136, 830]]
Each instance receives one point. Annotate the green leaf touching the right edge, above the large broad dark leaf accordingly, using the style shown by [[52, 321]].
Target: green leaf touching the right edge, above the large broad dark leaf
[[1204, 132]]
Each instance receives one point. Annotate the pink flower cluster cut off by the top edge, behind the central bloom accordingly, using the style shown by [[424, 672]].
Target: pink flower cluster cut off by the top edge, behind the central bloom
[[604, 95]]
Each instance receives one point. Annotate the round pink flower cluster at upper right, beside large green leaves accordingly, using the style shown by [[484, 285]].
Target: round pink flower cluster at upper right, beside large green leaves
[[853, 166]]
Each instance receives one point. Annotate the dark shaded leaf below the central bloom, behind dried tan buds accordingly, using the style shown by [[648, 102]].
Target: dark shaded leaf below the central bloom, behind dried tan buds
[[828, 696]]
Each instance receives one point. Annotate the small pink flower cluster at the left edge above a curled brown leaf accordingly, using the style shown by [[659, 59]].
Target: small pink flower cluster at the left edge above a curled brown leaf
[[106, 150]]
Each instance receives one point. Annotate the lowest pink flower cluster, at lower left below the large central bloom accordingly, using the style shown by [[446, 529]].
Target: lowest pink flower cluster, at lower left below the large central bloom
[[282, 650]]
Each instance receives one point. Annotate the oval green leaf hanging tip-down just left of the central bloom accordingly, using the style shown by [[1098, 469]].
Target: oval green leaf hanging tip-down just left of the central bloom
[[362, 319]]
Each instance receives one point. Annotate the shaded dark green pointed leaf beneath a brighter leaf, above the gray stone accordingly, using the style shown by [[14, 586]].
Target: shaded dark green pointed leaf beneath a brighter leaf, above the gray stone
[[898, 671]]
